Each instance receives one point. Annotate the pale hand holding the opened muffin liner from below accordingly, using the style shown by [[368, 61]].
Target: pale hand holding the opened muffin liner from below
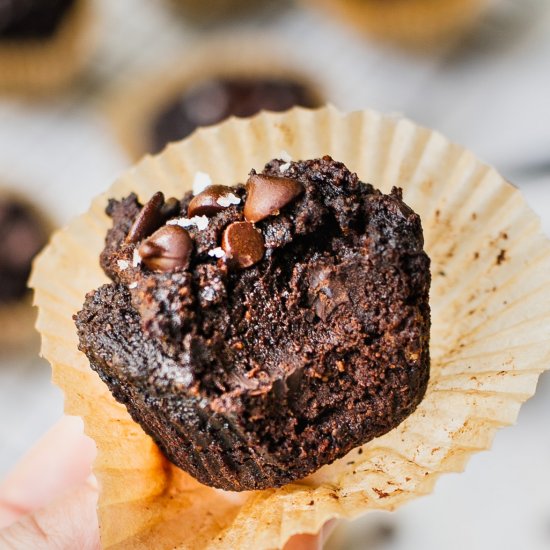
[[49, 500]]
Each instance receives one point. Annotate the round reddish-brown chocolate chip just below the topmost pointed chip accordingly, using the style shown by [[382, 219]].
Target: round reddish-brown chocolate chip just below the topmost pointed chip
[[243, 244]]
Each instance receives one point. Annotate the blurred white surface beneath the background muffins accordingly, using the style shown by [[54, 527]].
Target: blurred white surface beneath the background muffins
[[492, 96]]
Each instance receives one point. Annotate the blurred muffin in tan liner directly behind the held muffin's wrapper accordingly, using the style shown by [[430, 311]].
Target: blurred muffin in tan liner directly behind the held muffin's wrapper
[[218, 80]]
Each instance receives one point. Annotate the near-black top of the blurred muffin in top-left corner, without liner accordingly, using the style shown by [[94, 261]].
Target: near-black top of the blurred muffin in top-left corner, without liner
[[31, 19]]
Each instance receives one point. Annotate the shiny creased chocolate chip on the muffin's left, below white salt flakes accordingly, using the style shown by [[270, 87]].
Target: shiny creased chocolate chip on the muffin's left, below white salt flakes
[[167, 249]]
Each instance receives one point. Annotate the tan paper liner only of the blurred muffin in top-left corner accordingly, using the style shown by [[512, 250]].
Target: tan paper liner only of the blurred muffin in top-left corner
[[45, 65]]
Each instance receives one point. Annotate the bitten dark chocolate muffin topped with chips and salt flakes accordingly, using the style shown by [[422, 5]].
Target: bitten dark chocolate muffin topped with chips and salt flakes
[[259, 332]]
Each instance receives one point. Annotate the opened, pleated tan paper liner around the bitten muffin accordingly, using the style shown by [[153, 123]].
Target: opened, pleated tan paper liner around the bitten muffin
[[490, 340]]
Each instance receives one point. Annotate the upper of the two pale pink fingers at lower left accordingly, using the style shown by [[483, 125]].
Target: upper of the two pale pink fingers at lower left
[[60, 461]]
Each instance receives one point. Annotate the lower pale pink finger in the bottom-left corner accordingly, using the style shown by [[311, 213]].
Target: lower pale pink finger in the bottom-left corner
[[70, 522]]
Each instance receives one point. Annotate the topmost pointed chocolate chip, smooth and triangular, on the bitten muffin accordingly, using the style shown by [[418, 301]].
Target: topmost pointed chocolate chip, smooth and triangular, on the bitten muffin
[[266, 195]]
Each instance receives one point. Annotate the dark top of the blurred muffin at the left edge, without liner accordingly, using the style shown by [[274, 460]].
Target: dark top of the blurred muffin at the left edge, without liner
[[22, 235]]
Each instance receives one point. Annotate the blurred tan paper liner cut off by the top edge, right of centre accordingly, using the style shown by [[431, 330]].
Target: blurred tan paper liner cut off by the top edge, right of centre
[[417, 23]]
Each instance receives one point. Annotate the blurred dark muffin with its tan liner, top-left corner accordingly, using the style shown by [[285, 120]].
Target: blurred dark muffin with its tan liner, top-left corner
[[43, 43]]
